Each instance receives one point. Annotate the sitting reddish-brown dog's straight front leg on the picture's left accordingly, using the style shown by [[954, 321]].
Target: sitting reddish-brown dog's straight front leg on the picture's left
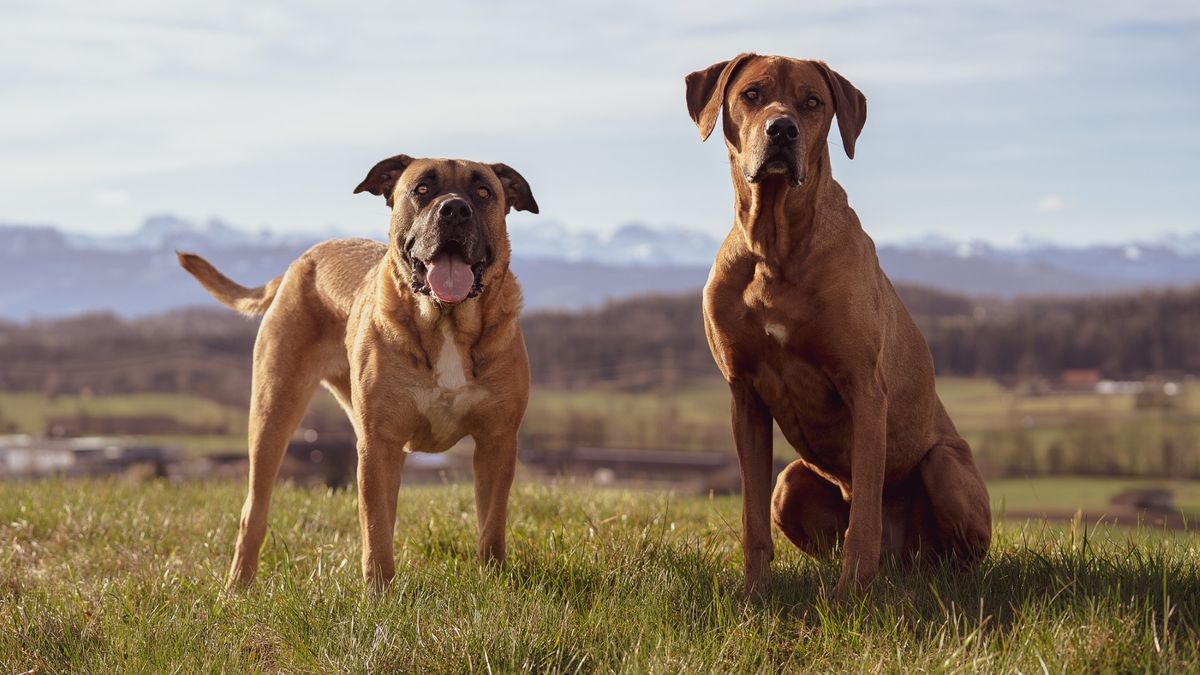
[[753, 437]]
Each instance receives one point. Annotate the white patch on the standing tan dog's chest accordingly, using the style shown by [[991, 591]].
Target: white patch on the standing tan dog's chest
[[447, 403]]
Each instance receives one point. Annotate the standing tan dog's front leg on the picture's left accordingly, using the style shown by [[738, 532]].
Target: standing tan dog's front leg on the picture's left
[[380, 469]]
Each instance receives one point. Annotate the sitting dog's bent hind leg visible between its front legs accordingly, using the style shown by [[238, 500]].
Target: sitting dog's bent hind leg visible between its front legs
[[809, 510]]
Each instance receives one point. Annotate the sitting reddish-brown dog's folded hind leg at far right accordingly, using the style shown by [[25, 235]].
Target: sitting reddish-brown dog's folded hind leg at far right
[[959, 504]]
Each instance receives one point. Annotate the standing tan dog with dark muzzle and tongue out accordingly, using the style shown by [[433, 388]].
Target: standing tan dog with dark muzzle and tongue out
[[418, 341]]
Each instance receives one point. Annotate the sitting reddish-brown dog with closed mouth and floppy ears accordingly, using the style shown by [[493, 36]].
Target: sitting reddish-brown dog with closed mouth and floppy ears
[[809, 332]]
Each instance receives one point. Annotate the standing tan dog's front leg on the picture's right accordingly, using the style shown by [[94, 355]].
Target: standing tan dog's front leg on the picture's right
[[495, 463]]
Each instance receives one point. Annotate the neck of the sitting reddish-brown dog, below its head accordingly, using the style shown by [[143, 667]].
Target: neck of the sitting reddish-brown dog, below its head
[[776, 219]]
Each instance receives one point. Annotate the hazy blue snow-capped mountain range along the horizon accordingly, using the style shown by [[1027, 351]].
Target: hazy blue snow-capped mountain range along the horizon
[[49, 272]]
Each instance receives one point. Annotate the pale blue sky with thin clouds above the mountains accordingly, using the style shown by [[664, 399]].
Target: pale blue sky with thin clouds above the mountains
[[995, 121]]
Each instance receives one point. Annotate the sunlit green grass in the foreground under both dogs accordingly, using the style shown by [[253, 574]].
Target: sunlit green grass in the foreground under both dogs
[[123, 577]]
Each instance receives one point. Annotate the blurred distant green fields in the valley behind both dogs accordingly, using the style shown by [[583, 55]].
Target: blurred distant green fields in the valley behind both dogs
[[1010, 433]]
